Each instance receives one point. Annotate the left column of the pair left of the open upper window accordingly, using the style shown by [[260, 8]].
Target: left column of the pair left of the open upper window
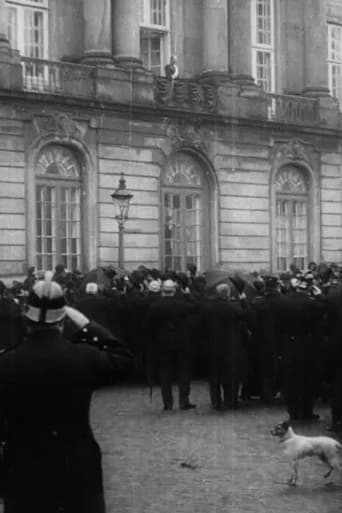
[[97, 32]]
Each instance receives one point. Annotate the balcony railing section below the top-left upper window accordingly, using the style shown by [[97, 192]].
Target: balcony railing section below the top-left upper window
[[66, 79]]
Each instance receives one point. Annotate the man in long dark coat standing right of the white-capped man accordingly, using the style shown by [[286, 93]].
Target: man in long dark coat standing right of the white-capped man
[[223, 323]]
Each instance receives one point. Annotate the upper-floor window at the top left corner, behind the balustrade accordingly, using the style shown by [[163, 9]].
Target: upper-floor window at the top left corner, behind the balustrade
[[27, 26]]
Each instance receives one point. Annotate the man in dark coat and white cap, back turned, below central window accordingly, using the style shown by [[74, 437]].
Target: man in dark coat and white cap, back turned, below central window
[[167, 330]]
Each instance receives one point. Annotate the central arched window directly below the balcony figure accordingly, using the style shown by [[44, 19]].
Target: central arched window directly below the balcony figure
[[186, 216]]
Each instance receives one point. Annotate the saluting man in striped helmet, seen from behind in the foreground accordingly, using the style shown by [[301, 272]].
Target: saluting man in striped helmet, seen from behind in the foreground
[[52, 461]]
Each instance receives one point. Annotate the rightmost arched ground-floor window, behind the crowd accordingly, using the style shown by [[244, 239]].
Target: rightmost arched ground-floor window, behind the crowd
[[291, 218]]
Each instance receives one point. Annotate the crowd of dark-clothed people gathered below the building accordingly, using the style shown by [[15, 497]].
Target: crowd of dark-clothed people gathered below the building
[[252, 336]]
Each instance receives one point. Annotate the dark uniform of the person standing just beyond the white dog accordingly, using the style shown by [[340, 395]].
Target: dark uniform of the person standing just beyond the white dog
[[296, 317]]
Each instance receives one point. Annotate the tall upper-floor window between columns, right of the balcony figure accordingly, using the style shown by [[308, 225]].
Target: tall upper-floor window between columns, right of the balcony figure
[[263, 47]]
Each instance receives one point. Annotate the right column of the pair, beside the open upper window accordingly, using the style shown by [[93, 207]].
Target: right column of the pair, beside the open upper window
[[126, 33]]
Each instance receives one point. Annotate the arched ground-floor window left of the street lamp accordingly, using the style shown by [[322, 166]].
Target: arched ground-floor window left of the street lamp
[[58, 209]]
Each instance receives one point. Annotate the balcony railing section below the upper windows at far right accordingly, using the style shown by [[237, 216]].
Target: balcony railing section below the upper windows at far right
[[293, 109]]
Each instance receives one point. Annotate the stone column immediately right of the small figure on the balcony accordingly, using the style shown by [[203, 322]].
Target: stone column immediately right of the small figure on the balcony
[[215, 38]]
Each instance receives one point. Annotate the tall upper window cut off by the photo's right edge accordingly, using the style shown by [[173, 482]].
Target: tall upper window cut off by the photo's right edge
[[335, 60]]
